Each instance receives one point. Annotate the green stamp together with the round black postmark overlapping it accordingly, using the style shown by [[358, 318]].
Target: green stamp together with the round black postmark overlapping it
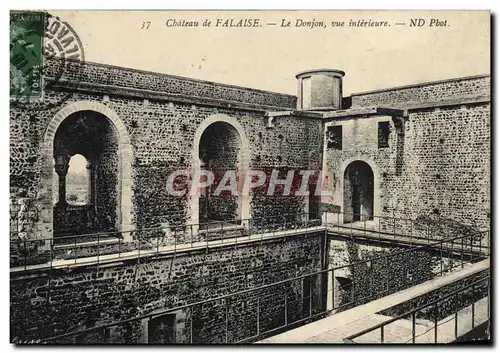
[[42, 46]]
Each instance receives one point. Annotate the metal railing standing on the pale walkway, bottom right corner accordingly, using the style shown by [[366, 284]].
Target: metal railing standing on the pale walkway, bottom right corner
[[435, 304]]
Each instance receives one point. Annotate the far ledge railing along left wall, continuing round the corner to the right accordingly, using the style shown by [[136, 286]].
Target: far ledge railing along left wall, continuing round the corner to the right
[[157, 240]]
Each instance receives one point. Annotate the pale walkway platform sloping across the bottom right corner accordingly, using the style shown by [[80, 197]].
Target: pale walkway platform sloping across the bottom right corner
[[338, 326]]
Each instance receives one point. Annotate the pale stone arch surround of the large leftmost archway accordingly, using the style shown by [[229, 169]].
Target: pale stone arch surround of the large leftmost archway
[[124, 184]]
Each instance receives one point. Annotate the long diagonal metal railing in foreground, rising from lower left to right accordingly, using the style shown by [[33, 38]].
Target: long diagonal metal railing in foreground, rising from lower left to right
[[271, 308]]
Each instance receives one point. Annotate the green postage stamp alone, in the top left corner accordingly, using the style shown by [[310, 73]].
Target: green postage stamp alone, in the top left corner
[[26, 55]]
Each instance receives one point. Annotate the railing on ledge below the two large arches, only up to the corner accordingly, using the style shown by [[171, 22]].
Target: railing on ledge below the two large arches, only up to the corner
[[154, 240]]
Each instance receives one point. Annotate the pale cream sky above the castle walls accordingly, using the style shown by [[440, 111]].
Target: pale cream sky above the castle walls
[[269, 57]]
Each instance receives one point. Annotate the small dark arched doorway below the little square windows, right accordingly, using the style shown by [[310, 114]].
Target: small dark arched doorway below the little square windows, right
[[358, 192]]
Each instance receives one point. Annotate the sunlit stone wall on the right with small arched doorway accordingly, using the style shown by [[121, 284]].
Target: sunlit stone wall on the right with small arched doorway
[[439, 167]]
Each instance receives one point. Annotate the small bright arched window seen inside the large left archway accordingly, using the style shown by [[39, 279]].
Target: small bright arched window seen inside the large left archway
[[77, 181]]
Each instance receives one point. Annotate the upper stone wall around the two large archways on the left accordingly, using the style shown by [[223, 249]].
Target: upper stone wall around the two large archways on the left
[[161, 136]]
